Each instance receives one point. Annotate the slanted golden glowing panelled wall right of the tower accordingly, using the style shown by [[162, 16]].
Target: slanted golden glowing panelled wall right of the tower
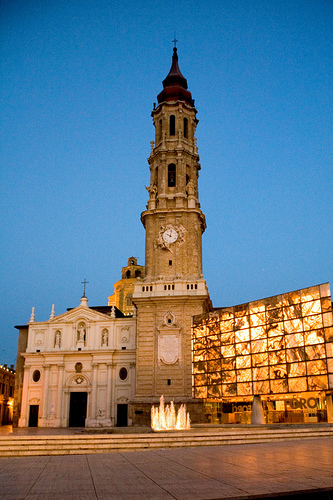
[[282, 344]]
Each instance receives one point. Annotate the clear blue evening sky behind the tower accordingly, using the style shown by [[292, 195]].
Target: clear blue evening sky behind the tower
[[78, 82]]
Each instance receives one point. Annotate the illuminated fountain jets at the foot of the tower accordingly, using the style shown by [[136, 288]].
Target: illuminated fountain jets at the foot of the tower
[[167, 418]]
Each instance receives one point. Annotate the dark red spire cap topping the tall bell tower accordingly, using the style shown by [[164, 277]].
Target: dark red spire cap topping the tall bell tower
[[175, 84]]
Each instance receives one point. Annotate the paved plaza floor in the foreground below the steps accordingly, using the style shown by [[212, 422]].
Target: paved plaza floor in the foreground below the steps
[[290, 469]]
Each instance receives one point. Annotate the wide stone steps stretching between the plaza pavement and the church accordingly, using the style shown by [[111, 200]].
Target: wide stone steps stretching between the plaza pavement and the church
[[106, 443]]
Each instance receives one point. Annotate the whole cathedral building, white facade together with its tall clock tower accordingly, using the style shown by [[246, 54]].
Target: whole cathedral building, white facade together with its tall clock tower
[[106, 366]]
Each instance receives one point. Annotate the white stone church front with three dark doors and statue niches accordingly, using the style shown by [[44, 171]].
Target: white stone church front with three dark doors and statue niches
[[81, 351]]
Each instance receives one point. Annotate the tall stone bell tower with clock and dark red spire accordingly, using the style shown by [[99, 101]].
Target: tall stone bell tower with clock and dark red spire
[[173, 289]]
